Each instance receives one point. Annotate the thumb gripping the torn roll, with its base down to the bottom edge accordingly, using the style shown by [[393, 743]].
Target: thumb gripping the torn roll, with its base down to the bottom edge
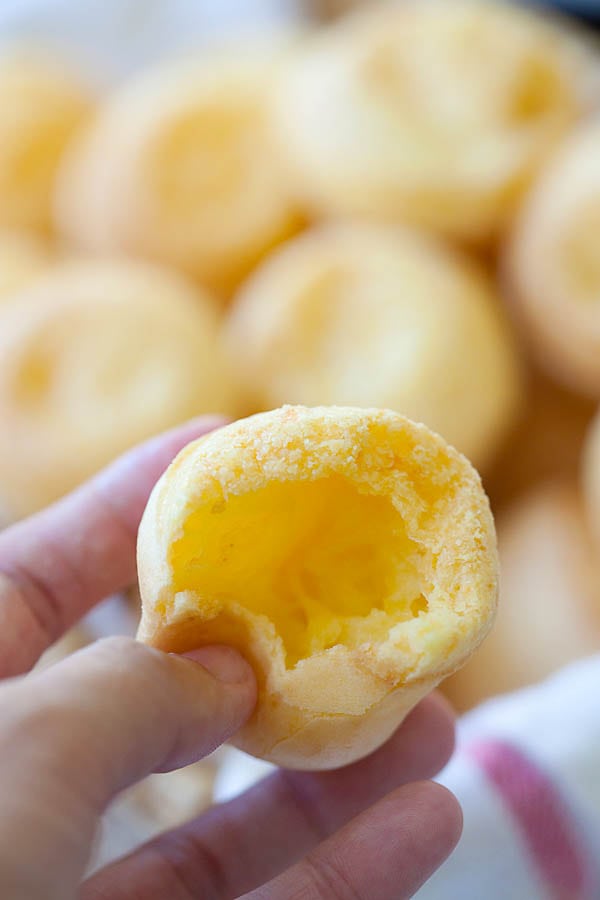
[[75, 734]]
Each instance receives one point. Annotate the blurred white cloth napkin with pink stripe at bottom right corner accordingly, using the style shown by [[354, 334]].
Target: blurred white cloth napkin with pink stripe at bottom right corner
[[527, 774]]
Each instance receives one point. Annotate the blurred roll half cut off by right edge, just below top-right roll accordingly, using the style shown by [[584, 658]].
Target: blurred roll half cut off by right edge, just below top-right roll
[[553, 263]]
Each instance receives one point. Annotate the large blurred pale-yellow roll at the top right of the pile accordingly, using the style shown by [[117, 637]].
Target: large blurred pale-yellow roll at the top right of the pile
[[432, 112]]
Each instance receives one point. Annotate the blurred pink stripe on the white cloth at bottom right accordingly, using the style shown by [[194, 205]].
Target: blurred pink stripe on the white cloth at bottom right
[[542, 815]]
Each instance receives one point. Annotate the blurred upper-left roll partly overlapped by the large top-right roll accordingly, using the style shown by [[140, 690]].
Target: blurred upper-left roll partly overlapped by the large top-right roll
[[178, 167]]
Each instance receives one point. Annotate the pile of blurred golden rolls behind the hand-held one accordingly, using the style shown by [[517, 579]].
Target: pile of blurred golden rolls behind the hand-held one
[[397, 209]]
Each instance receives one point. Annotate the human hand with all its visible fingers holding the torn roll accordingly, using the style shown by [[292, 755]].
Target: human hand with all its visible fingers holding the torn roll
[[76, 734]]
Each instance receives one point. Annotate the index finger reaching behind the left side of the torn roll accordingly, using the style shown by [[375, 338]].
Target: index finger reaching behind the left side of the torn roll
[[58, 564]]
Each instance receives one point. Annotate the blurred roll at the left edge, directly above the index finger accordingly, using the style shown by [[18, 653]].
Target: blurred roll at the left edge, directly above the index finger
[[94, 357]]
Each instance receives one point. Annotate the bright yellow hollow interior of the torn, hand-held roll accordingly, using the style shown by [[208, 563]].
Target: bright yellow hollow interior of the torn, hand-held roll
[[324, 562]]
